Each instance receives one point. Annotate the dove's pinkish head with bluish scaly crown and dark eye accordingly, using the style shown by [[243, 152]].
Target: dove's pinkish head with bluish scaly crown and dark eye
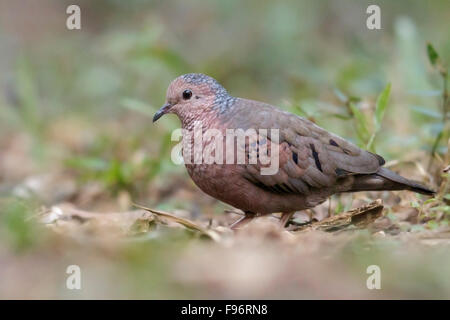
[[193, 94]]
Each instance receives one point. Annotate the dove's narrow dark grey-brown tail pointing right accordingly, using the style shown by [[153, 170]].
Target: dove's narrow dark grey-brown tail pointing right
[[385, 179]]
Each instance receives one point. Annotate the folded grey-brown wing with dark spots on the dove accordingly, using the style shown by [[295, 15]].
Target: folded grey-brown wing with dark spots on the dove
[[309, 156]]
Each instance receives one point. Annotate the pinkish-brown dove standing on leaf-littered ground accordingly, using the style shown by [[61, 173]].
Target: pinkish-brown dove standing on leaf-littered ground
[[313, 164]]
